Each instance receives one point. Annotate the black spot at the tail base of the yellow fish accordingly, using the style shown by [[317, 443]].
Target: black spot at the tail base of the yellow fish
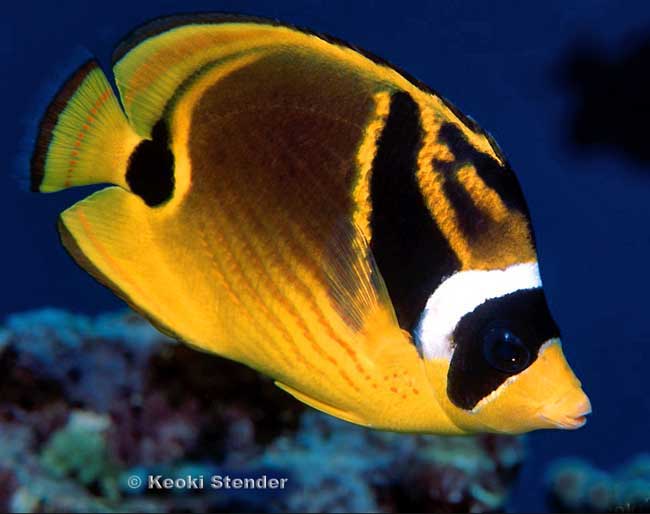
[[150, 173]]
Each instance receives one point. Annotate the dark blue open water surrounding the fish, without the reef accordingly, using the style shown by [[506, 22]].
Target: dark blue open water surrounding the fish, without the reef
[[495, 60]]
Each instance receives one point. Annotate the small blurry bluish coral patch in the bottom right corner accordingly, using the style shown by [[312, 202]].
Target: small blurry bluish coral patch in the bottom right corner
[[574, 485]]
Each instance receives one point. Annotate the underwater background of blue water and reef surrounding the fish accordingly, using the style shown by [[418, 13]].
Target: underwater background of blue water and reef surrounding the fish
[[562, 88]]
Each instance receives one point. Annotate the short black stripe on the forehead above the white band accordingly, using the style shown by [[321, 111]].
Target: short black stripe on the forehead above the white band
[[501, 179]]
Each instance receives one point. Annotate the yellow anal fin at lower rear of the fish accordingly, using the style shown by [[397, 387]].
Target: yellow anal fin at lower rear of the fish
[[113, 235]]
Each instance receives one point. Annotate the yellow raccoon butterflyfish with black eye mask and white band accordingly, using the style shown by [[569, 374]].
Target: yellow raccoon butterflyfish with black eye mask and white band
[[289, 202]]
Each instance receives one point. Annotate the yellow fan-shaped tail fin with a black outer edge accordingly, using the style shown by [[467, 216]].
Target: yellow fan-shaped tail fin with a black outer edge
[[84, 137]]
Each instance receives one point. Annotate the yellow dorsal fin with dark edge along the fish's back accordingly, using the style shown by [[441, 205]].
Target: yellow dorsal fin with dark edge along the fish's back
[[160, 57]]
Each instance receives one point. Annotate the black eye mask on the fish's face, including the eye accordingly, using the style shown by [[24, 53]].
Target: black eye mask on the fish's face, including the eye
[[498, 339]]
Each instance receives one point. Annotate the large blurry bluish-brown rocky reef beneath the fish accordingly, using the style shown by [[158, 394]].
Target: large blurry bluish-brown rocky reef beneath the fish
[[102, 414]]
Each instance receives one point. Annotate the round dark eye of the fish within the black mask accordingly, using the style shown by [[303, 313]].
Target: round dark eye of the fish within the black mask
[[504, 350]]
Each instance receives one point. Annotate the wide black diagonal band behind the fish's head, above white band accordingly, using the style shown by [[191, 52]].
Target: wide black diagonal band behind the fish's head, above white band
[[409, 248]]
